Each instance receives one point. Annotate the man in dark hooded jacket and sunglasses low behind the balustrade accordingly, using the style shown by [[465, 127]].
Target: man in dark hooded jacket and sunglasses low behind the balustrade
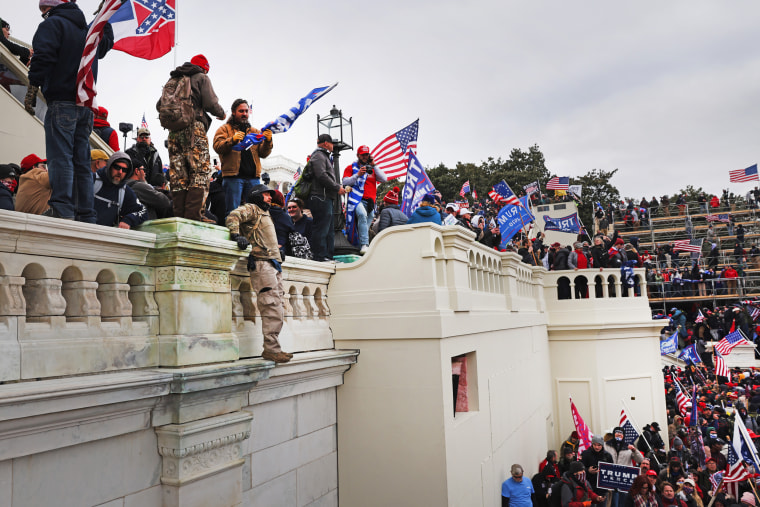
[[115, 203]]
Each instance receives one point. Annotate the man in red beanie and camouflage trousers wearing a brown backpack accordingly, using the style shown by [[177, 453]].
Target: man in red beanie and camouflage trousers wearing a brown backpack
[[189, 164]]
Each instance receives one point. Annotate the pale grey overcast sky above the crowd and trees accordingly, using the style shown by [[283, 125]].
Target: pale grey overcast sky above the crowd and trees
[[666, 92]]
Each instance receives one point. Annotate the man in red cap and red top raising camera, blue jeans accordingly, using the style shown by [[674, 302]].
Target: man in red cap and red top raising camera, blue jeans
[[362, 176]]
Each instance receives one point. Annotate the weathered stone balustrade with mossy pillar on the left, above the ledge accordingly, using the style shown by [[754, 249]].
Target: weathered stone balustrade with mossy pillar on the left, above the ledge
[[78, 298]]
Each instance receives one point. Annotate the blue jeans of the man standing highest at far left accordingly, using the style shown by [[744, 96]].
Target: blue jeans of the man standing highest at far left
[[67, 144]]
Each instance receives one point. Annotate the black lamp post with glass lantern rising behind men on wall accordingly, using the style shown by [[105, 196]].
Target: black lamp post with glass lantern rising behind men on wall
[[341, 130]]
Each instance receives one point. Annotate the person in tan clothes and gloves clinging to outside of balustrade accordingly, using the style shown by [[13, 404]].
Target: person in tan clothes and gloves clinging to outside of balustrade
[[251, 224]]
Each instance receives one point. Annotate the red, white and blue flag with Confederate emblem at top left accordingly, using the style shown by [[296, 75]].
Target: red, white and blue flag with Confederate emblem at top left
[[145, 28]]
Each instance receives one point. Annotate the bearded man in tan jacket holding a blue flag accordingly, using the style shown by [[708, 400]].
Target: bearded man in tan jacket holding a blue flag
[[241, 170]]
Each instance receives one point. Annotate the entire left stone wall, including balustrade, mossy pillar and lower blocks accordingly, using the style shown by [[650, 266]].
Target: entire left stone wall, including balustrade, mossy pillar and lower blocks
[[130, 375]]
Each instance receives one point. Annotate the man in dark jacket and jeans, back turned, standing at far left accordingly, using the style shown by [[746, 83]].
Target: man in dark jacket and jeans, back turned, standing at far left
[[58, 46]]
